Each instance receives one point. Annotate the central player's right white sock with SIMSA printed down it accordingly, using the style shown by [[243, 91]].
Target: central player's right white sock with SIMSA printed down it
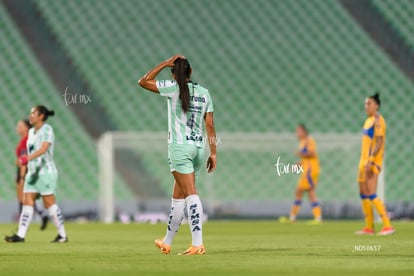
[[195, 215]]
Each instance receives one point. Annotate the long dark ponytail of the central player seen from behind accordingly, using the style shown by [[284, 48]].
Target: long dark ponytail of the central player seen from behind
[[182, 71]]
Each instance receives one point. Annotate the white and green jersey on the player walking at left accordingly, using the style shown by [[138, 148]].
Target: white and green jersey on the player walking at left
[[44, 163]]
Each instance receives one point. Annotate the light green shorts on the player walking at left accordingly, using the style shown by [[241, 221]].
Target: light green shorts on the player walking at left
[[45, 184]]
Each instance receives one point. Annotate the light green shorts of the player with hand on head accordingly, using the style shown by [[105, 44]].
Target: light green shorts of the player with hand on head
[[185, 158]]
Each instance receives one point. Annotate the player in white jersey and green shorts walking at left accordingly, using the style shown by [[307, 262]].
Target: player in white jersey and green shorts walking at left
[[42, 175]]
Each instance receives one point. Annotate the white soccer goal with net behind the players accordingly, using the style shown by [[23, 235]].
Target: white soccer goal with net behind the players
[[247, 183]]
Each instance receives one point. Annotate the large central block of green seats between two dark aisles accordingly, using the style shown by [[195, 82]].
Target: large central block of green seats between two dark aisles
[[287, 61]]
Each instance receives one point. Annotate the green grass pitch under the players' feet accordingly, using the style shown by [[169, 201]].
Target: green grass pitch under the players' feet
[[233, 248]]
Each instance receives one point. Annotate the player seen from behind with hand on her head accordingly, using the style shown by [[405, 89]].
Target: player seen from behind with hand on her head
[[189, 107]]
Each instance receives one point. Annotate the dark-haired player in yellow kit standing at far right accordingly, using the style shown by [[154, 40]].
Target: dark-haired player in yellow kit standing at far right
[[372, 154]]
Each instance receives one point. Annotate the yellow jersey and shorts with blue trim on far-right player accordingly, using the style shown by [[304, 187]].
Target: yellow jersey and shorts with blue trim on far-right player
[[374, 127]]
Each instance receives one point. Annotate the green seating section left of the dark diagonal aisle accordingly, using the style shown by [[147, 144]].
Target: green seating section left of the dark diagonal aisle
[[24, 84]]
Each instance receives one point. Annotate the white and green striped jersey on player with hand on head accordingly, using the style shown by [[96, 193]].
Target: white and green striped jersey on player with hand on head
[[186, 128]]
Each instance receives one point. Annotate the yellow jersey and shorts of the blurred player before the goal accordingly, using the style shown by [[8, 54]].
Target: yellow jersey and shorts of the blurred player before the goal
[[310, 165]]
